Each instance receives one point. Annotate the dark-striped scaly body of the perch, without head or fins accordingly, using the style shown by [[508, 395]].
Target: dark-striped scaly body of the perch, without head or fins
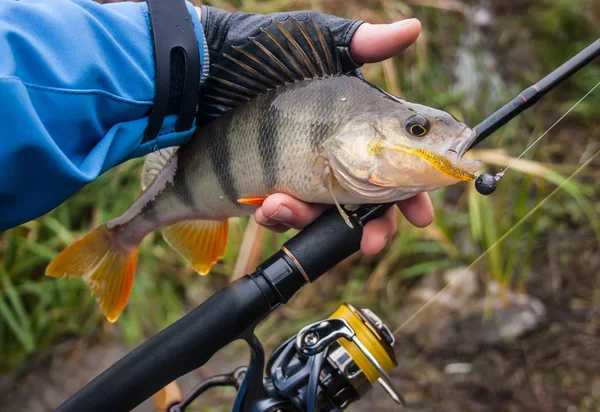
[[272, 145]]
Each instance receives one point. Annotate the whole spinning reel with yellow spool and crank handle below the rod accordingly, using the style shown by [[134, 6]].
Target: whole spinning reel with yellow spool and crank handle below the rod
[[325, 367]]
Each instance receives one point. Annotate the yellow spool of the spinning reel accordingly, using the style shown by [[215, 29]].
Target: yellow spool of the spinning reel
[[370, 338]]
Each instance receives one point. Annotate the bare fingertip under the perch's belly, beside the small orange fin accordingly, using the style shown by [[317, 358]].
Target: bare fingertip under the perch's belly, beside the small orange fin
[[282, 210]]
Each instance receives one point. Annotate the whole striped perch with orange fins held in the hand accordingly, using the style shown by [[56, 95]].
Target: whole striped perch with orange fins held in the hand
[[293, 123]]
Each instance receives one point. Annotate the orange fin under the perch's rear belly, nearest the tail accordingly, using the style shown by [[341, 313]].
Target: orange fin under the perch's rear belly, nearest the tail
[[201, 242]]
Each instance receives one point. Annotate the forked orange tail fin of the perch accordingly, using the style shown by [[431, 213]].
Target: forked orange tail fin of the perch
[[106, 267]]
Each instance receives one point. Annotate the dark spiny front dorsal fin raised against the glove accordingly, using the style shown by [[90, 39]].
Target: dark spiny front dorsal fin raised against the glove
[[284, 52]]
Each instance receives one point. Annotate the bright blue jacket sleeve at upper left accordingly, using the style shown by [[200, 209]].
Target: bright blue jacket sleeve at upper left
[[76, 87]]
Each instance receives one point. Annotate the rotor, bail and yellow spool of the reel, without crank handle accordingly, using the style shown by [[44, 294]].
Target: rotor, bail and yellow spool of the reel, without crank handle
[[334, 362]]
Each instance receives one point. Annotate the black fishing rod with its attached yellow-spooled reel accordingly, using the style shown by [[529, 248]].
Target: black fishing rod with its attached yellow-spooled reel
[[308, 372]]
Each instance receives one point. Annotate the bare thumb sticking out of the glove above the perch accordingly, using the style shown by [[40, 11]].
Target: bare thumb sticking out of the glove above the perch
[[377, 42]]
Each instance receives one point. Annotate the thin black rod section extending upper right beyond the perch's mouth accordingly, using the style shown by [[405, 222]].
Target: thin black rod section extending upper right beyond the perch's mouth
[[534, 93]]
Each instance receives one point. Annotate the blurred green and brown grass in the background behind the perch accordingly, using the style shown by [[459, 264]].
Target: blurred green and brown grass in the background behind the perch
[[459, 64]]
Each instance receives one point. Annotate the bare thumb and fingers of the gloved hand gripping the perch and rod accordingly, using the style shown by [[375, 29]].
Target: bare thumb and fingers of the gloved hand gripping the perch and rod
[[280, 212]]
